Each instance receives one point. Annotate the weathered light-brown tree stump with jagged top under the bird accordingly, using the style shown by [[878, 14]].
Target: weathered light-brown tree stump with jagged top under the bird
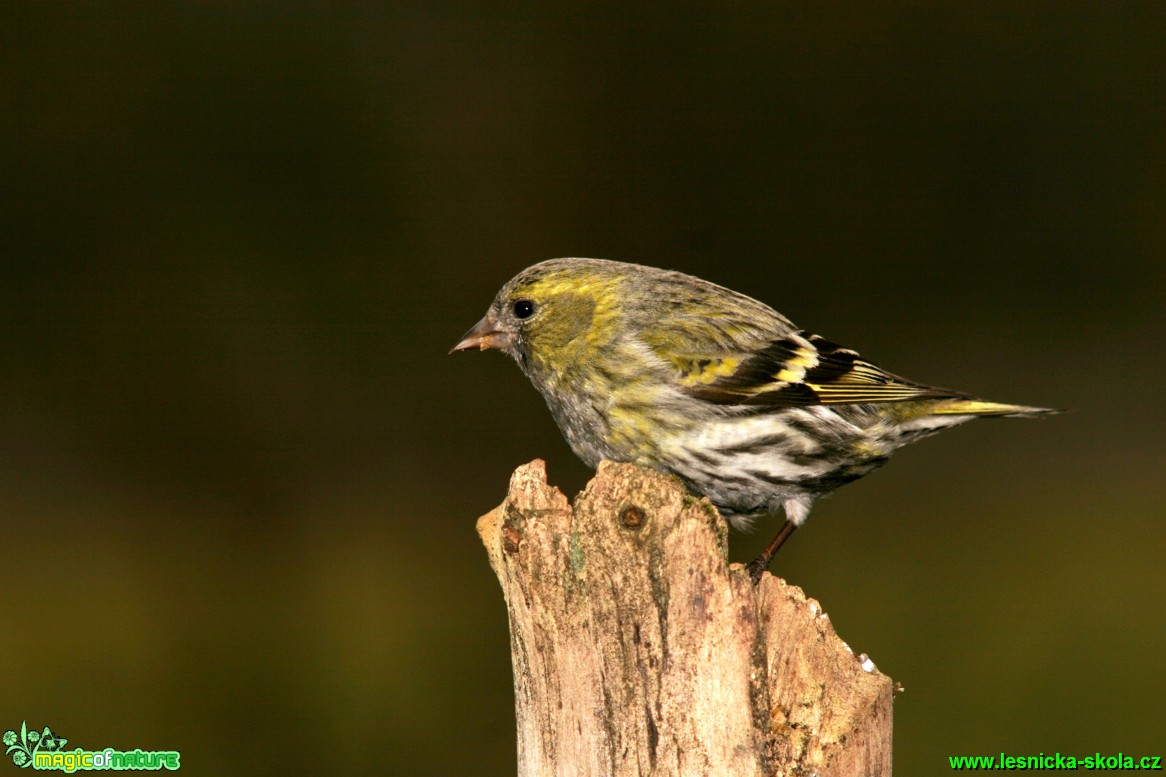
[[638, 650]]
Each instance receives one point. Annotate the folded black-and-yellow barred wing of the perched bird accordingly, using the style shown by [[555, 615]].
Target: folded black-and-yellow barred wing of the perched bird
[[795, 370]]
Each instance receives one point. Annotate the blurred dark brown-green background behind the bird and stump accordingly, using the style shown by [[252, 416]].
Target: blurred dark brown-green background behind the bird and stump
[[240, 474]]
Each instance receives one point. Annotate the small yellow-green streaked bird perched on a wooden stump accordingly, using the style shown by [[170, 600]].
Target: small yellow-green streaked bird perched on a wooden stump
[[666, 370]]
